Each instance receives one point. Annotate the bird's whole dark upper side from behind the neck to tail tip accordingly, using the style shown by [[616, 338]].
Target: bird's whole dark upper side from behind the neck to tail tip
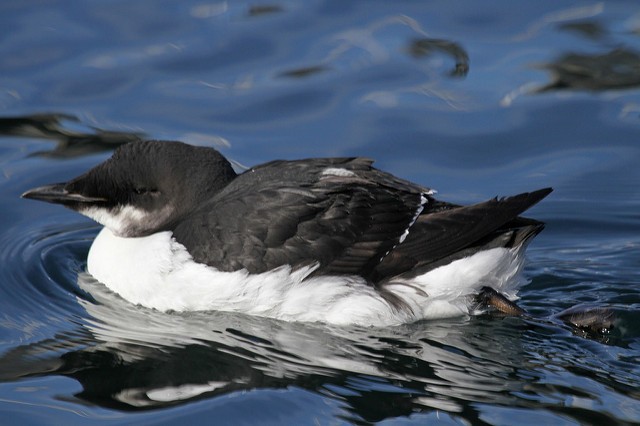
[[347, 217]]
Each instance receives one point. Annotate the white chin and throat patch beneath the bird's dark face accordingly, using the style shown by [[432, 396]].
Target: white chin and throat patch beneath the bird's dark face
[[123, 221]]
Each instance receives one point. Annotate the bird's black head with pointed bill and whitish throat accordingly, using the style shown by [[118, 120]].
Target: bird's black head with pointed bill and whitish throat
[[145, 187]]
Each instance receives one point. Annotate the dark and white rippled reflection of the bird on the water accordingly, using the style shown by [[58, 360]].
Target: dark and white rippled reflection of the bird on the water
[[129, 358]]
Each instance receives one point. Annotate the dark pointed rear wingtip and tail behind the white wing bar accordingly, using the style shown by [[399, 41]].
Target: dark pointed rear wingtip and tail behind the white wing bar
[[443, 230]]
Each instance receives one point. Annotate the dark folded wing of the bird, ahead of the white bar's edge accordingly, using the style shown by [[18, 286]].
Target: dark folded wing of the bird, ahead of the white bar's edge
[[340, 213]]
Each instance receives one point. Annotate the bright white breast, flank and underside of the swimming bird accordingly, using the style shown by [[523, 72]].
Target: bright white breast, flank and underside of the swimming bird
[[157, 272]]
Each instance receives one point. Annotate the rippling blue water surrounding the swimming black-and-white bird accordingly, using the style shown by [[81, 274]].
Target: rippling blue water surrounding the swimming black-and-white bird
[[475, 99]]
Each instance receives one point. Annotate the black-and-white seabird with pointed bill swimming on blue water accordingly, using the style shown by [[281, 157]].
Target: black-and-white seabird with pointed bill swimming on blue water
[[328, 240]]
